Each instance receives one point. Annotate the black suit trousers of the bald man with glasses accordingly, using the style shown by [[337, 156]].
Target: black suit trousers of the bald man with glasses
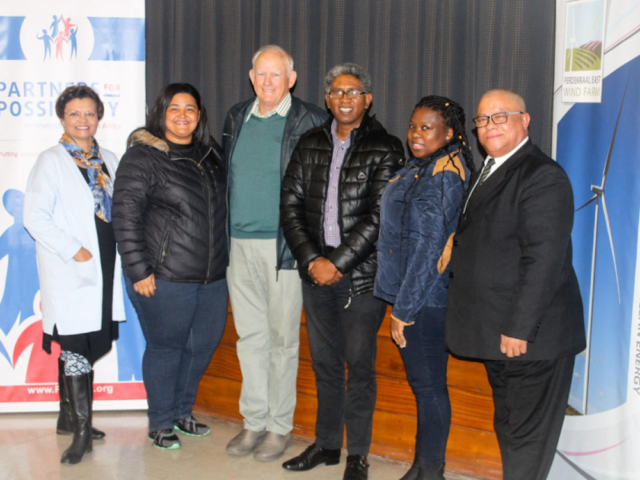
[[530, 402]]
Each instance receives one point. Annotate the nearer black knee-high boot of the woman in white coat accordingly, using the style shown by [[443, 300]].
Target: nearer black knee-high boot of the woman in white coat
[[78, 389]]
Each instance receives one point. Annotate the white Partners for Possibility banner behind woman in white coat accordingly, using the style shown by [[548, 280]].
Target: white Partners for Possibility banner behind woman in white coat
[[45, 47]]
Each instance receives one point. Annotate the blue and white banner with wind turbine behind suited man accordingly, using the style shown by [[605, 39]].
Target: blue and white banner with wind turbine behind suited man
[[598, 145]]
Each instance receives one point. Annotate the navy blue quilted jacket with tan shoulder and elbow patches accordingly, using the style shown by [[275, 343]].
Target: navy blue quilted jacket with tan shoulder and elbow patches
[[419, 215]]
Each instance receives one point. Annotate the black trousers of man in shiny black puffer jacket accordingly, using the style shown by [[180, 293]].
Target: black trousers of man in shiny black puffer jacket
[[338, 335]]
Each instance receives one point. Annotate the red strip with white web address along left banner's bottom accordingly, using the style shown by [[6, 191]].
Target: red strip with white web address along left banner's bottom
[[48, 392]]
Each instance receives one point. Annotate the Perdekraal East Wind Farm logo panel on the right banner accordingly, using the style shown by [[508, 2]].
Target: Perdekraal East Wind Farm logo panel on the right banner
[[583, 42]]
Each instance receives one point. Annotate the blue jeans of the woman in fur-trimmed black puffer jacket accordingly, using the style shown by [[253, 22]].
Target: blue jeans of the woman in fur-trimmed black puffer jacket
[[182, 324]]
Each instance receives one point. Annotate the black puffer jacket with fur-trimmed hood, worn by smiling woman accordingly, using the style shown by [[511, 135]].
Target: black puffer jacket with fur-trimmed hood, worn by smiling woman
[[169, 212]]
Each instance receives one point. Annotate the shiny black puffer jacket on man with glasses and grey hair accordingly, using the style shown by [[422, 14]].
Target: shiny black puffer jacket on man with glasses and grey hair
[[370, 161]]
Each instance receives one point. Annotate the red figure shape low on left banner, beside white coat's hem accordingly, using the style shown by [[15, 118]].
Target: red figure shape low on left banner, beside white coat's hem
[[42, 367]]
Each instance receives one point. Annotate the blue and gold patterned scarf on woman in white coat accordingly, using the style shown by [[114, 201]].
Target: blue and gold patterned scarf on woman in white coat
[[100, 184]]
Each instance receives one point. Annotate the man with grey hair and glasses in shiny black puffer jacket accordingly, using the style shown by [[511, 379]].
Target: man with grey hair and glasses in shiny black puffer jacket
[[330, 213]]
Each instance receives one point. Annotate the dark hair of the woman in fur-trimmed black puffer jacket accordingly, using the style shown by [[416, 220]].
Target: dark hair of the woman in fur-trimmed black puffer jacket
[[156, 118]]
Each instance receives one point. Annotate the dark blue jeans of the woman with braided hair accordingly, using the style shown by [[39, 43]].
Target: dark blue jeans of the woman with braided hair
[[425, 360]]
